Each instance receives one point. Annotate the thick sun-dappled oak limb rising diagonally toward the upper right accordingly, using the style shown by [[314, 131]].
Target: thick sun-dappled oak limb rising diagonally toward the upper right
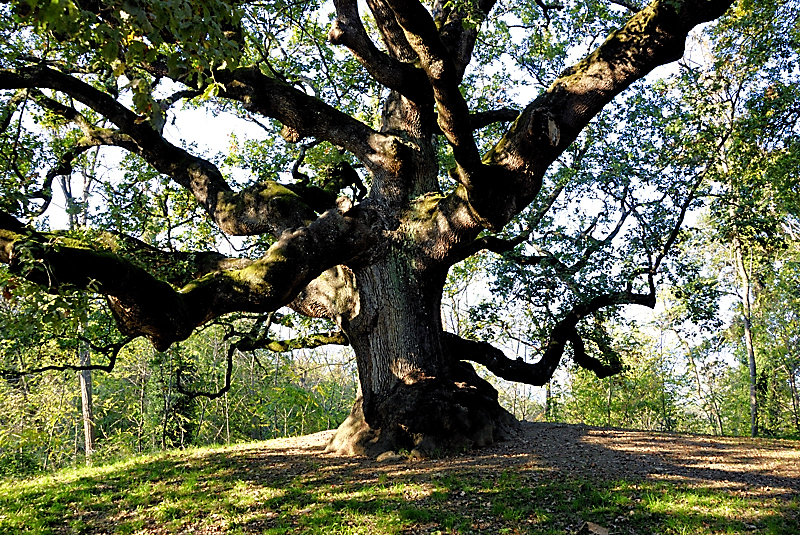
[[654, 36]]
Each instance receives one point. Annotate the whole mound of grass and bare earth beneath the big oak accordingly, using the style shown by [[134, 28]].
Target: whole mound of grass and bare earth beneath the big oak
[[552, 479]]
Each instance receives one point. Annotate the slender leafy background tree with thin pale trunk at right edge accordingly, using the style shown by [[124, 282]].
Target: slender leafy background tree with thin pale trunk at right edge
[[747, 74]]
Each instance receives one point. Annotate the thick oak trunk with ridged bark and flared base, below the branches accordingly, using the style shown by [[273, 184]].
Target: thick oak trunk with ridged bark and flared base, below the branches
[[414, 395]]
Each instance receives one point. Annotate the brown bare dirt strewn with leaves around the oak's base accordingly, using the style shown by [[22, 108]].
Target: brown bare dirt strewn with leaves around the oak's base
[[762, 466]]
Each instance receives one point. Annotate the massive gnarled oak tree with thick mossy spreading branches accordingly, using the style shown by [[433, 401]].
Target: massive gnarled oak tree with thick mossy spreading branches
[[443, 181]]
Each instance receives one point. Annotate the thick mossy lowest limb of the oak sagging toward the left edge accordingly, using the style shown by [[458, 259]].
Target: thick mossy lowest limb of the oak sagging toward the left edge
[[144, 305]]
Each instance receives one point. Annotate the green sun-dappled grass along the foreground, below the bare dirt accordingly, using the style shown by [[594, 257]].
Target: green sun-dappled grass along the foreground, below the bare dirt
[[253, 489]]
